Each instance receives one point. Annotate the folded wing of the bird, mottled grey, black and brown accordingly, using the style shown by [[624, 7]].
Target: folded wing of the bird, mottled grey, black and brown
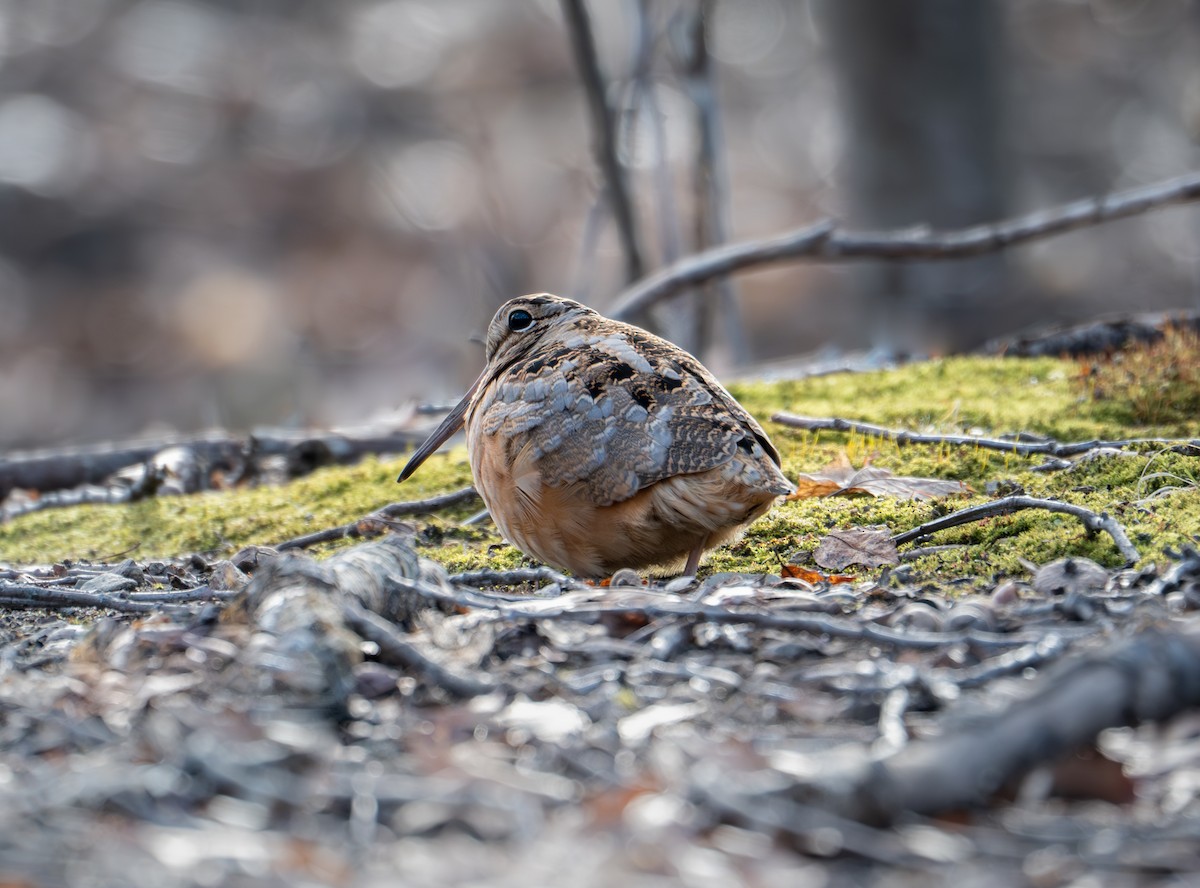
[[621, 411]]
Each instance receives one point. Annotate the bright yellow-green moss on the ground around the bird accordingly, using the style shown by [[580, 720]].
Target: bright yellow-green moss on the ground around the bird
[[1154, 494]]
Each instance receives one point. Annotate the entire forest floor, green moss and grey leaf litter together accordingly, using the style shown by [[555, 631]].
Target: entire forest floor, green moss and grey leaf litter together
[[188, 700]]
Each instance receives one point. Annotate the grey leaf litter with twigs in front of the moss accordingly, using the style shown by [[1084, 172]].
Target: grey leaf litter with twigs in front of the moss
[[371, 718]]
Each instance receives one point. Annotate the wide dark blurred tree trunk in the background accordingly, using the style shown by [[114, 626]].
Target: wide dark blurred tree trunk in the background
[[920, 88]]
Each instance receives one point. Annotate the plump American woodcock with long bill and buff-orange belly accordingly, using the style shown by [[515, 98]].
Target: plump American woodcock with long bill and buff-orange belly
[[598, 446]]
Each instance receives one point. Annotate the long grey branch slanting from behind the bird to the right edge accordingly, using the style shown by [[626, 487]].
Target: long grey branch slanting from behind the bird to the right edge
[[826, 241]]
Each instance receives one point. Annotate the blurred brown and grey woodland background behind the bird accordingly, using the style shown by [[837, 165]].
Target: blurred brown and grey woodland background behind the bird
[[236, 214]]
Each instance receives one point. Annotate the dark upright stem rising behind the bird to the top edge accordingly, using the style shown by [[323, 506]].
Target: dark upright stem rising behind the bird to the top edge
[[604, 133]]
